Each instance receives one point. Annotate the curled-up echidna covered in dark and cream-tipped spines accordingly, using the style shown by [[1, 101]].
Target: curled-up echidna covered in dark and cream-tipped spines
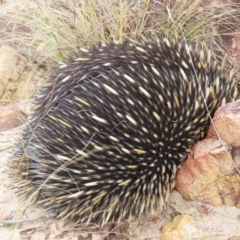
[[113, 125]]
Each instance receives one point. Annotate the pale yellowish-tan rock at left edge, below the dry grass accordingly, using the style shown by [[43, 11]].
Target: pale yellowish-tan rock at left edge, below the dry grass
[[18, 78]]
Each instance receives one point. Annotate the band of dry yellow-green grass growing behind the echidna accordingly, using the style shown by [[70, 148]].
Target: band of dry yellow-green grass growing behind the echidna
[[54, 29]]
